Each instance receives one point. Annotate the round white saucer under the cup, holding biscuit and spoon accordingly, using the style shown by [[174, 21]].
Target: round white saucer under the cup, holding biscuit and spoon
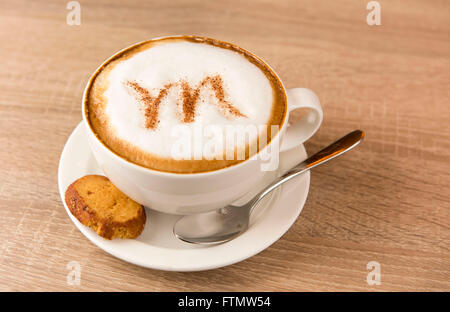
[[157, 248]]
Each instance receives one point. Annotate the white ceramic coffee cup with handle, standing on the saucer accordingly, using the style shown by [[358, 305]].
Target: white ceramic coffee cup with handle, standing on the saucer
[[183, 193]]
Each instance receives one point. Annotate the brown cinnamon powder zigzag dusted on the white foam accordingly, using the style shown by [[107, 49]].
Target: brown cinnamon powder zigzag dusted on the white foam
[[189, 97]]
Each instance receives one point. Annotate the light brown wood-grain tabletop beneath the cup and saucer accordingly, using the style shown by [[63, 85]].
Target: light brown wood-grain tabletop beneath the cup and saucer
[[387, 201]]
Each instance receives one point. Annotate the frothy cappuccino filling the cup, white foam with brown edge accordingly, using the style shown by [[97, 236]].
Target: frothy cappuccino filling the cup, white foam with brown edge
[[148, 101]]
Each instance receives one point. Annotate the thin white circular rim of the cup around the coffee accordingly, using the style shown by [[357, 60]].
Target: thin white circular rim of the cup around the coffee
[[180, 174]]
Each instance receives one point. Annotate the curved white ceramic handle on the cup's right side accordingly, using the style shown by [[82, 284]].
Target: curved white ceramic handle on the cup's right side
[[303, 129]]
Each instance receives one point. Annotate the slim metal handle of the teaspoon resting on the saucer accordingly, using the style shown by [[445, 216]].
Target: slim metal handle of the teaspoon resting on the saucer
[[333, 150]]
